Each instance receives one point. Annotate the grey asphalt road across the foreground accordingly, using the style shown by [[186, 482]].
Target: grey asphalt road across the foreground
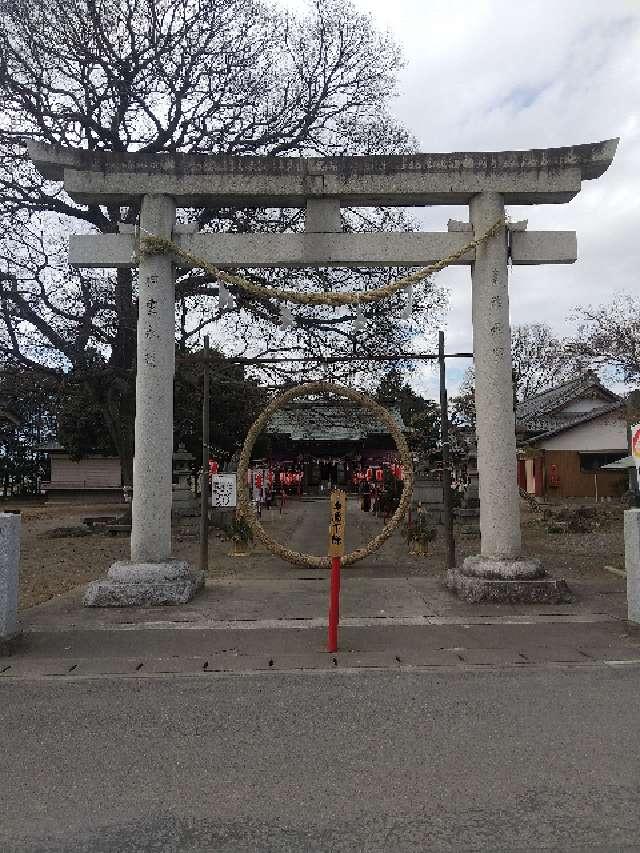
[[326, 761]]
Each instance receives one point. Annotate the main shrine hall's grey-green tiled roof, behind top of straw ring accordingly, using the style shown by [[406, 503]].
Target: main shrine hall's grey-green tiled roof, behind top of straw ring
[[328, 421]]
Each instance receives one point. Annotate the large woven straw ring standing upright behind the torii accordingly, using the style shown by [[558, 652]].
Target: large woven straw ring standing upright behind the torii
[[245, 506]]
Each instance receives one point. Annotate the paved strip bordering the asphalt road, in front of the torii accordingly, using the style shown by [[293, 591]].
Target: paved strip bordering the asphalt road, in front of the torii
[[178, 651]]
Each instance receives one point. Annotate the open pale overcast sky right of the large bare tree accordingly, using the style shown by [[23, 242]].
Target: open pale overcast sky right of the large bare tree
[[488, 75]]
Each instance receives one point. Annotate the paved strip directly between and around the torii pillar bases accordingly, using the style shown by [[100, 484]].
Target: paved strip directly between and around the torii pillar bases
[[362, 597]]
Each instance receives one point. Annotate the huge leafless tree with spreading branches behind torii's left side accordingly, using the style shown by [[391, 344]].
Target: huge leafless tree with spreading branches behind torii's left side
[[232, 77]]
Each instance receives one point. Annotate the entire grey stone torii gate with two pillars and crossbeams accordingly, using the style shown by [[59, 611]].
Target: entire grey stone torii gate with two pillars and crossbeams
[[158, 183]]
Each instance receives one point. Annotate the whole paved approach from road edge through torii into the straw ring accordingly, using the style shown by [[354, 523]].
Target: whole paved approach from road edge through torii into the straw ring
[[273, 617]]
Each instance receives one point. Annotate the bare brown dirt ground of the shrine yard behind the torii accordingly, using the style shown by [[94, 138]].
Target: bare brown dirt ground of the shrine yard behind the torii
[[52, 564]]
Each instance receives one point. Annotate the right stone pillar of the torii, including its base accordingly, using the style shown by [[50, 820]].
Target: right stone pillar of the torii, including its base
[[498, 572]]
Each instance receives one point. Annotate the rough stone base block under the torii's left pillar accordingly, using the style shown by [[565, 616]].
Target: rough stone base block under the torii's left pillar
[[145, 585]]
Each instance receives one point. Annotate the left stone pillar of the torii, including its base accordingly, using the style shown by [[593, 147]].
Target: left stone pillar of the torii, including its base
[[152, 577]]
